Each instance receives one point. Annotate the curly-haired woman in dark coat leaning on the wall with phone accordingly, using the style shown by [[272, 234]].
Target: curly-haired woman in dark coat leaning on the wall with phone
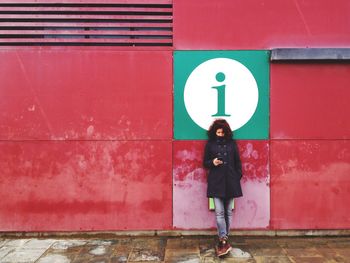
[[221, 157]]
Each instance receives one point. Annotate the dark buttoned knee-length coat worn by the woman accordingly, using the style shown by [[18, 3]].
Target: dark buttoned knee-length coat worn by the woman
[[224, 179]]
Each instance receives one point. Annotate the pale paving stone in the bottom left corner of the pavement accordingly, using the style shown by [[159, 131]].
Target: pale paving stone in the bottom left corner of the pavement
[[23, 256]]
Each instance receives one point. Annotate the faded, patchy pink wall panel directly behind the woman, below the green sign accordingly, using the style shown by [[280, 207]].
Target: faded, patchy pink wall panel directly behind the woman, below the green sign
[[190, 204]]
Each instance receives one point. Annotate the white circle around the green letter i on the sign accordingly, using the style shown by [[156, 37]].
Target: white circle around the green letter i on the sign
[[241, 93]]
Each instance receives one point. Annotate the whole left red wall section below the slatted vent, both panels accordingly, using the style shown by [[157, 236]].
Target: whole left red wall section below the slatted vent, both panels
[[86, 139]]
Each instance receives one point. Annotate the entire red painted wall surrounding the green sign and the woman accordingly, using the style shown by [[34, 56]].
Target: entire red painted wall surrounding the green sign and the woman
[[87, 133]]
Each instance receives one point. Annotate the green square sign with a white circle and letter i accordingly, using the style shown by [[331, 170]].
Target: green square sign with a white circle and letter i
[[233, 85]]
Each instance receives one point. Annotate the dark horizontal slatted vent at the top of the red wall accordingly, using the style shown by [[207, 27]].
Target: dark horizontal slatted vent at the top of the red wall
[[62, 23]]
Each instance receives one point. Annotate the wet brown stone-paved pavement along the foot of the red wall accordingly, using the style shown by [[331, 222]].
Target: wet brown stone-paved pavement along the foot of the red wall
[[188, 249]]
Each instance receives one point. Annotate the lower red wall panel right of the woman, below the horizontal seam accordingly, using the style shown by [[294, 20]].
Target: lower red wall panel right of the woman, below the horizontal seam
[[310, 184]]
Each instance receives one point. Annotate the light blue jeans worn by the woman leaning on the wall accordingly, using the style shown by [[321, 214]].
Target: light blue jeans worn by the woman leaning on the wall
[[223, 213]]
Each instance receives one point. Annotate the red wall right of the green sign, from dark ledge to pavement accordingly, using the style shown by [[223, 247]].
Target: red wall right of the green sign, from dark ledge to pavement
[[310, 153]]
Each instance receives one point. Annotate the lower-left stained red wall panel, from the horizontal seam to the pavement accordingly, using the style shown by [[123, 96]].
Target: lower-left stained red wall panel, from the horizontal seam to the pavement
[[71, 186]]
